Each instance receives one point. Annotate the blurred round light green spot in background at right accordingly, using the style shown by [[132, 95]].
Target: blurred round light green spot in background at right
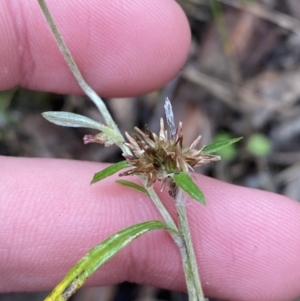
[[259, 145]]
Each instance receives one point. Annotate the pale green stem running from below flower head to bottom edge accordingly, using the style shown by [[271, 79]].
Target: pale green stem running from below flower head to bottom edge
[[180, 202]]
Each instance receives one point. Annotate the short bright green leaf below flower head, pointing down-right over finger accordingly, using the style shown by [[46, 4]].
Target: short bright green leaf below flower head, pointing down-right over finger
[[185, 182]]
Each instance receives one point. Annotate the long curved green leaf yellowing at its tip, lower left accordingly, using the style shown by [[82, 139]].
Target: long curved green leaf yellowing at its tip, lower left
[[97, 256]]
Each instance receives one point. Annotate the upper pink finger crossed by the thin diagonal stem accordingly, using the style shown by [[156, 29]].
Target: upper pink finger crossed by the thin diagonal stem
[[122, 48]]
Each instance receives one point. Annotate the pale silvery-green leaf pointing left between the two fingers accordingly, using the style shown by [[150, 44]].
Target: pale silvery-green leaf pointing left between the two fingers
[[72, 120]]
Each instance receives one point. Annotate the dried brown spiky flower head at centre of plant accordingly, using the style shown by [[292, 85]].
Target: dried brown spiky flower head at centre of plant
[[158, 157]]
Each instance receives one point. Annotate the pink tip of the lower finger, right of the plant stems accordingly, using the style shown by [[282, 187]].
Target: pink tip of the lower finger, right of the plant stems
[[248, 243]]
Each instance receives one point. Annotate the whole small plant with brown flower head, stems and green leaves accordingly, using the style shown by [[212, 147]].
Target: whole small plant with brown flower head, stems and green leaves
[[152, 157]]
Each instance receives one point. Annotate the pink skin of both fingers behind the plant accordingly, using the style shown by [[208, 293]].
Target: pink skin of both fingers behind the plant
[[247, 241]]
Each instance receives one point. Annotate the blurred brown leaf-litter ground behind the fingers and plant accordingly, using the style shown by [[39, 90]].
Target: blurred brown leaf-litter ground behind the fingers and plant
[[242, 78]]
